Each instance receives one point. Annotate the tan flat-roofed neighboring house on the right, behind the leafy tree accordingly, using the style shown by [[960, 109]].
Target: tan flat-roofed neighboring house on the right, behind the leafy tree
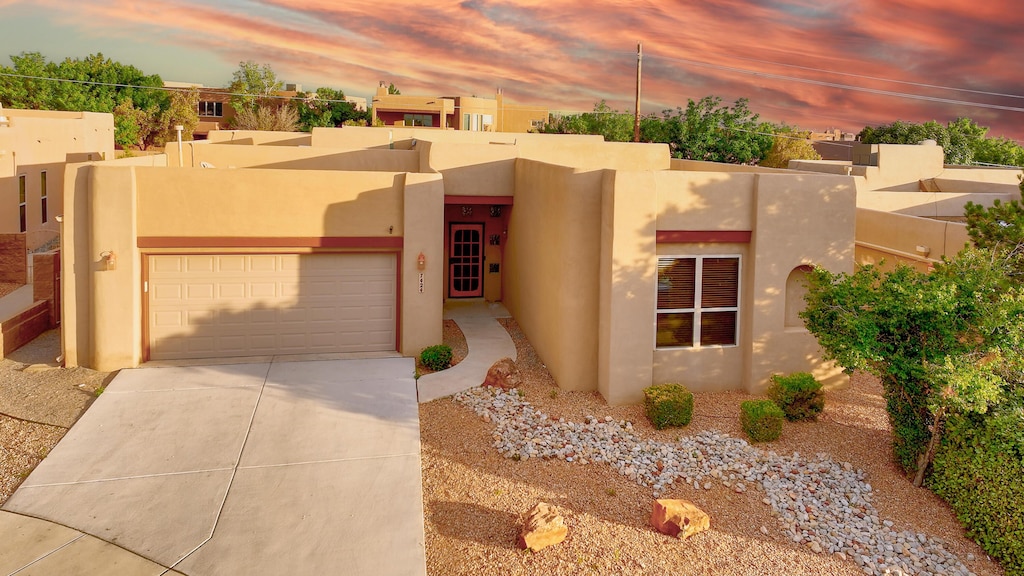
[[910, 204]]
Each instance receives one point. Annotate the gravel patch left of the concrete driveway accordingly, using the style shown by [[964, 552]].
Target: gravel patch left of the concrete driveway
[[38, 403]]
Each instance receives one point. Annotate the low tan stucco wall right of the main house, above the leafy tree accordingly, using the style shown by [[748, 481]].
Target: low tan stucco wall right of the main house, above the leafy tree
[[886, 239]]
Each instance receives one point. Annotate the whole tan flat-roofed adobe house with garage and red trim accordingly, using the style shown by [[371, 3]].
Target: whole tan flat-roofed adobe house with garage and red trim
[[624, 268]]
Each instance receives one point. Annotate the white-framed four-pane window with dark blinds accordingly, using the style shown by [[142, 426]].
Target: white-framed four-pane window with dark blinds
[[698, 302]]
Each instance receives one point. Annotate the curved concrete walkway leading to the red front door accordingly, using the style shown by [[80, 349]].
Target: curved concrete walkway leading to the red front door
[[489, 343]]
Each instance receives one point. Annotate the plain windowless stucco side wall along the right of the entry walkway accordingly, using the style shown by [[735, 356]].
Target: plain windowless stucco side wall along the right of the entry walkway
[[551, 265]]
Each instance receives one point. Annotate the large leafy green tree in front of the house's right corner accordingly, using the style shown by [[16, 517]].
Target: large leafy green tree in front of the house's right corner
[[944, 344]]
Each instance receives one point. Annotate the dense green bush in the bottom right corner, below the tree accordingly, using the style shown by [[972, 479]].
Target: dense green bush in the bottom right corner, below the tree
[[978, 470]]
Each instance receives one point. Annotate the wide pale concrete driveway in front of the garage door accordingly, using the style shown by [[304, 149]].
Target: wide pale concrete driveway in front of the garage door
[[283, 468]]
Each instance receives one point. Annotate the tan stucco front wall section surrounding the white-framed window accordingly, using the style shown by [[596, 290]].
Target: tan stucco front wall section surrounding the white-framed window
[[794, 221]]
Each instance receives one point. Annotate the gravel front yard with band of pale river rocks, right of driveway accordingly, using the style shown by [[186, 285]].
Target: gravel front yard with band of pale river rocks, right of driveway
[[475, 496]]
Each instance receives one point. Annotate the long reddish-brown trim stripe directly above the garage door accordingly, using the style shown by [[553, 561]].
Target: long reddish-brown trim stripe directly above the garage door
[[273, 242]]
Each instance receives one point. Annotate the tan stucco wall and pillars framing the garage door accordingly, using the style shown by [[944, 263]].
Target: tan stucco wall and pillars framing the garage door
[[174, 203]]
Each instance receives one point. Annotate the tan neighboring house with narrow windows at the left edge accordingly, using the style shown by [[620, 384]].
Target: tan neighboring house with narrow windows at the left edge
[[35, 146]]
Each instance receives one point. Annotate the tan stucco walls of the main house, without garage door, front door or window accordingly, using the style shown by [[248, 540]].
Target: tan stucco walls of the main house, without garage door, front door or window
[[575, 228]]
